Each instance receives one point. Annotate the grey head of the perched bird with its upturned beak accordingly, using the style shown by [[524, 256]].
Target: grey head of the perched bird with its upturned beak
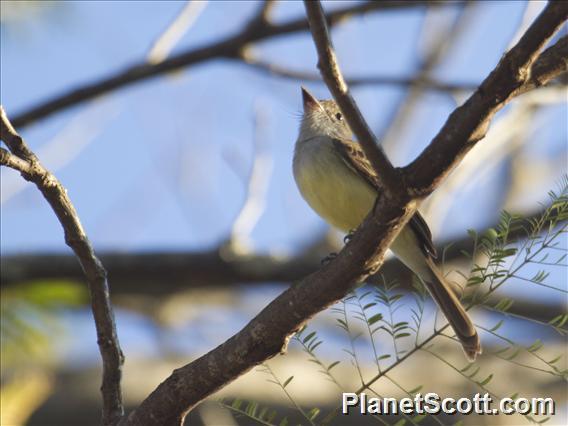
[[322, 118]]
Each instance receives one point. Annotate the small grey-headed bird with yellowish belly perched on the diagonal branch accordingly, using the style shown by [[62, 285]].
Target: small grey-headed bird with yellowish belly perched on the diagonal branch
[[338, 182]]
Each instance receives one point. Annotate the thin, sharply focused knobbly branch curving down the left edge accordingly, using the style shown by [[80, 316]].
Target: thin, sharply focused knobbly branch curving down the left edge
[[75, 237]]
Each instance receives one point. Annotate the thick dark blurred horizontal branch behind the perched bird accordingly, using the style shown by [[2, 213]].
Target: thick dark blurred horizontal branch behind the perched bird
[[163, 273]]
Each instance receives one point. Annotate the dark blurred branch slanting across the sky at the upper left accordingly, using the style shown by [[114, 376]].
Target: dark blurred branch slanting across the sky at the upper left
[[228, 47]]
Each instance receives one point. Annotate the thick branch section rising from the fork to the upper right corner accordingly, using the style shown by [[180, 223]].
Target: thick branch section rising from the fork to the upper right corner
[[468, 124]]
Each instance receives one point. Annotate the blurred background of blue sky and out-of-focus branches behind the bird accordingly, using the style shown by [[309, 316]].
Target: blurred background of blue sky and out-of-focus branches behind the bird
[[183, 183]]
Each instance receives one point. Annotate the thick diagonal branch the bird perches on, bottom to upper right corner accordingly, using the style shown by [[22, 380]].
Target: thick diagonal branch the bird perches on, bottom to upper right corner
[[268, 333]]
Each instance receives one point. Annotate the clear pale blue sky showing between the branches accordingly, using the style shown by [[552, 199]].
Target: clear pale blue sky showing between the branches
[[159, 165]]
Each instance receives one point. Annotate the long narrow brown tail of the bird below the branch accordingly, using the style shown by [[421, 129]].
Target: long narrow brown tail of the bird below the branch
[[453, 310]]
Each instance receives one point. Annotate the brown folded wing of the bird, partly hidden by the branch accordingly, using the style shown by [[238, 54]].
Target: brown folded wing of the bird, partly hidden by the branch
[[355, 159]]
